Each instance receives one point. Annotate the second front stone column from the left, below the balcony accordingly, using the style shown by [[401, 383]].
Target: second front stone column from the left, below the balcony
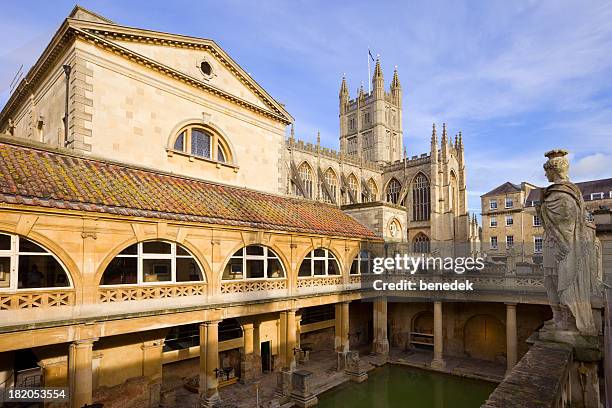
[[209, 362]]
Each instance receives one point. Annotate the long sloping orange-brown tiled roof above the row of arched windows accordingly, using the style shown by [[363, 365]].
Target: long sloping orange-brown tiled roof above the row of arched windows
[[38, 177]]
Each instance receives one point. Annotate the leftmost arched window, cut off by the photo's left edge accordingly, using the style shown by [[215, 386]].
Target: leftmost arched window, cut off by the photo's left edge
[[27, 265]]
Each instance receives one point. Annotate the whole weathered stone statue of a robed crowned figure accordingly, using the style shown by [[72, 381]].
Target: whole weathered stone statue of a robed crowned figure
[[567, 249]]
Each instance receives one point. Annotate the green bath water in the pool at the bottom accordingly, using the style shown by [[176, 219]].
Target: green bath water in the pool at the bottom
[[393, 386]]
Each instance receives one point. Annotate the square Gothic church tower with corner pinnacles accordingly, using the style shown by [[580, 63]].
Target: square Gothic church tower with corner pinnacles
[[371, 124]]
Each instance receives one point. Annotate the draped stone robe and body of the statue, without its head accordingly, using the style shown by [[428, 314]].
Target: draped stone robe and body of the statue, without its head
[[567, 250]]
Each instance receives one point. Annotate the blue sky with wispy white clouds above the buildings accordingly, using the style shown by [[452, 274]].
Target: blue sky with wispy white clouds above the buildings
[[516, 77]]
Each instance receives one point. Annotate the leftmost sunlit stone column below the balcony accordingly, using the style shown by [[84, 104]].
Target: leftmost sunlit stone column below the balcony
[[79, 372]]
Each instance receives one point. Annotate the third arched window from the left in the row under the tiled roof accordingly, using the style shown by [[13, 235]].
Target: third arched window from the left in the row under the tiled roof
[[254, 262]]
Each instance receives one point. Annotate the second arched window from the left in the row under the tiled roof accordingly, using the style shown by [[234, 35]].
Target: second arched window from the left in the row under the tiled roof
[[151, 262]]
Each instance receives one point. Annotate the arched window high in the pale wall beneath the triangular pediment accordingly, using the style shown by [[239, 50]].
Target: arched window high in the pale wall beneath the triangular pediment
[[198, 141]]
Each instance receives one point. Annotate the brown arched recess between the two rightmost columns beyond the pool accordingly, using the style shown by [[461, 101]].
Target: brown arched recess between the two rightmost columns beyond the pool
[[484, 337]]
